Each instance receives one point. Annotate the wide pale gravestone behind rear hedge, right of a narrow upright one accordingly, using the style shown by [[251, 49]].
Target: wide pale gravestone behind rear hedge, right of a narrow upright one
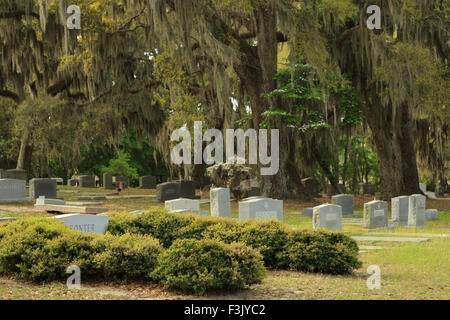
[[261, 208]]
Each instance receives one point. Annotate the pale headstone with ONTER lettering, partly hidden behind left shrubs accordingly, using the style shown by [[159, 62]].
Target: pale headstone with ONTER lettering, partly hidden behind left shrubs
[[86, 223]]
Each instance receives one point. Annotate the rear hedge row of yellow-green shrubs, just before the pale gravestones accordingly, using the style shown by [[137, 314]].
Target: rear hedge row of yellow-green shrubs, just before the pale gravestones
[[318, 251]]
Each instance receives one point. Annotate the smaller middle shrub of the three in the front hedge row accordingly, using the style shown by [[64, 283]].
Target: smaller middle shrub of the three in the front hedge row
[[126, 257]]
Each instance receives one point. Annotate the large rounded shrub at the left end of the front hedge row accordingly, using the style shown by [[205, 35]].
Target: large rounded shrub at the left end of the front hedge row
[[42, 249]]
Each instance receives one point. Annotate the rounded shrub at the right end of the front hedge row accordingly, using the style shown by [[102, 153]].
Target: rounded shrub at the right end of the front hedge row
[[201, 266]]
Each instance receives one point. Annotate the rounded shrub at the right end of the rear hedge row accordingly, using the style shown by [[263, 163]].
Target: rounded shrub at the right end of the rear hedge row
[[321, 252]]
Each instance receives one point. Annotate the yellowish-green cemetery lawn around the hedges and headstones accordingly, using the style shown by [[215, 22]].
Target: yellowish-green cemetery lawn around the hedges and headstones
[[409, 270]]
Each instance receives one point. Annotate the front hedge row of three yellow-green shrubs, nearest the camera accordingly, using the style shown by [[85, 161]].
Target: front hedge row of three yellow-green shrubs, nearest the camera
[[41, 250]]
